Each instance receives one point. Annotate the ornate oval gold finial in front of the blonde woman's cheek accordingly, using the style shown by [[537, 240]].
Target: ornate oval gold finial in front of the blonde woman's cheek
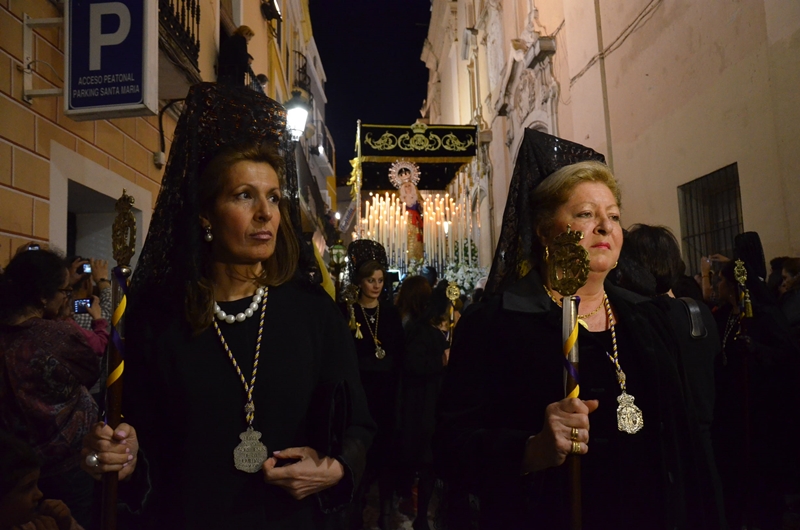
[[568, 263]]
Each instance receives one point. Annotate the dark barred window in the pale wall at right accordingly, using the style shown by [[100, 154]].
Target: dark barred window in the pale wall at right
[[711, 215]]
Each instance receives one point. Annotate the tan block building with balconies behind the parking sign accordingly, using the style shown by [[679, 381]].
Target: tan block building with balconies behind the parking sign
[[59, 178]]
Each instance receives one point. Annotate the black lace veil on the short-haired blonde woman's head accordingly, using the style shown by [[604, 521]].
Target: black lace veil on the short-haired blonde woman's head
[[539, 156]]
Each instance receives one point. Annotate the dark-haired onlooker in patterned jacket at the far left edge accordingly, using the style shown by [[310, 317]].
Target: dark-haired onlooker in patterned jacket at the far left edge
[[45, 365]]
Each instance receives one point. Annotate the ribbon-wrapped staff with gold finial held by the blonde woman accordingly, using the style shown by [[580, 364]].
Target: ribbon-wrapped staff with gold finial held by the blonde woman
[[568, 270]]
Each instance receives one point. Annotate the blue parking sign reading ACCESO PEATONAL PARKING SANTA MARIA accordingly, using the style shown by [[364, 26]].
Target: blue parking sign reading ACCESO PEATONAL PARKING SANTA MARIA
[[111, 59]]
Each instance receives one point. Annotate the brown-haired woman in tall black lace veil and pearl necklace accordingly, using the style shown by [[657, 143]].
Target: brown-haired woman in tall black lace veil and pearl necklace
[[223, 274]]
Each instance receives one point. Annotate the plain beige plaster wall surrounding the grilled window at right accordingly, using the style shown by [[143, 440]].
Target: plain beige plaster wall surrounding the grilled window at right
[[700, 87]]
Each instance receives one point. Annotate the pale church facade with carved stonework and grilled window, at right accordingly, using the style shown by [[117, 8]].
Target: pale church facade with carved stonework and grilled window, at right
[[694, 104]]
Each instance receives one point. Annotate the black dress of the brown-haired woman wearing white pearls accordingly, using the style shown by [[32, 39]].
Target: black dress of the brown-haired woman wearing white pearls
[[186, 401]]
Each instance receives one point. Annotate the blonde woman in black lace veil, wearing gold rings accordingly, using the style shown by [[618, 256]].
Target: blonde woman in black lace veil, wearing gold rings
[[505, 428]]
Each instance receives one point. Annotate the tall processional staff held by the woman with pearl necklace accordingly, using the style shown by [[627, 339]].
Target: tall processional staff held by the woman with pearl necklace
[[123, 245]]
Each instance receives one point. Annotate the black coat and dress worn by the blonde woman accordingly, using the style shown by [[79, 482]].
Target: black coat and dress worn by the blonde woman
[[506, 367]]
